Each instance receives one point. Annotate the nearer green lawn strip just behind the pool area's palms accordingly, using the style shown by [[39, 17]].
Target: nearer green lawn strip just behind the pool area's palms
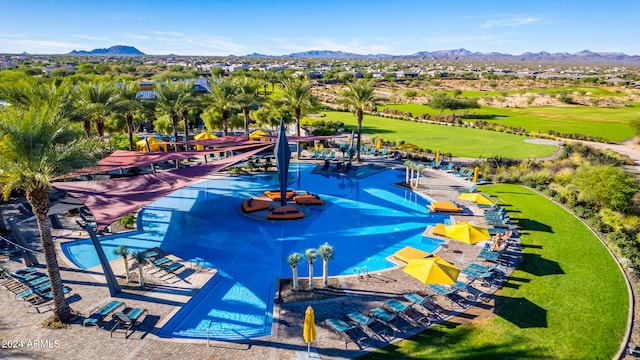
[[464, 142]]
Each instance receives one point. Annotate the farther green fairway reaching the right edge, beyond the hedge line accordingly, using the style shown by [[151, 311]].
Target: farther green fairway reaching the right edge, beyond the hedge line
[[611, 123]]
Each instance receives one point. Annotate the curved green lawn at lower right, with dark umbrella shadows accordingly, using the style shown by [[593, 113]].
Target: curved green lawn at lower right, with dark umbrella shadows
[[566, 300]]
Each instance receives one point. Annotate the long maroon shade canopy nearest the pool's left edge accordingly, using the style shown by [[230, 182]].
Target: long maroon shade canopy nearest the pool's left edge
[[111, 199]]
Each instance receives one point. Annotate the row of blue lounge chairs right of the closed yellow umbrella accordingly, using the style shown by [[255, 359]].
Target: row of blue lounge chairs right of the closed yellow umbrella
[[393, 315]]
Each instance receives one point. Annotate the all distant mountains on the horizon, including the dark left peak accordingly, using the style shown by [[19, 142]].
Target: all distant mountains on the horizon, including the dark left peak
[[581, 57]]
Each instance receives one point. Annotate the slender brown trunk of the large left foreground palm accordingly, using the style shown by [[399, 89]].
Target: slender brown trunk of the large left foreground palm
[[39, 200]]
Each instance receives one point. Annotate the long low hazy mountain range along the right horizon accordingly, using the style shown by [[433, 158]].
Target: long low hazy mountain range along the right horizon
[[581, 57]]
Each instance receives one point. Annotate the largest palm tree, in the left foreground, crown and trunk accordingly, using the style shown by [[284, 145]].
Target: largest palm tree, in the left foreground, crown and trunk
[[32, 154]]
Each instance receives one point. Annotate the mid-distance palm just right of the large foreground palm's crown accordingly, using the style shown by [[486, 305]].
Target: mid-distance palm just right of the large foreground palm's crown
[[99, 100]]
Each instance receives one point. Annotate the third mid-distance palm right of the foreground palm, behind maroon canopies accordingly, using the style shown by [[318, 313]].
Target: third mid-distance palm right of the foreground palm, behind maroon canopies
[[173, 97]]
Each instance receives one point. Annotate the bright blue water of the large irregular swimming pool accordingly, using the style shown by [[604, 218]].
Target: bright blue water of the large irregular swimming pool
[[366, 220]]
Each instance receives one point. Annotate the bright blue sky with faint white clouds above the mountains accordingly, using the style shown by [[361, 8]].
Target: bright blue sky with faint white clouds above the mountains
[[282, 27]]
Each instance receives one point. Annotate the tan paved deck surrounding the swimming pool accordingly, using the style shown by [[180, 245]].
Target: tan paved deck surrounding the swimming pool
[[363, 293]]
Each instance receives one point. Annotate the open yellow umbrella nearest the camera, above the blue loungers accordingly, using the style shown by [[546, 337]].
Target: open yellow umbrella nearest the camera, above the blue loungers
[[432, 270]]
